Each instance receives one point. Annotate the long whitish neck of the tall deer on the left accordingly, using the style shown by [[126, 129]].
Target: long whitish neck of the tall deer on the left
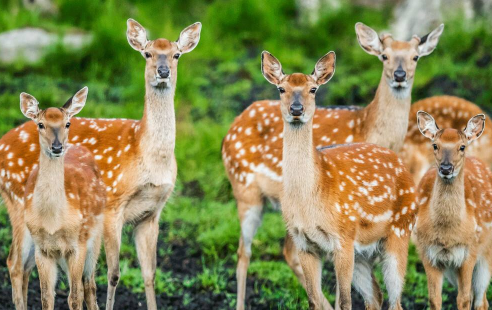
[[158, 133]]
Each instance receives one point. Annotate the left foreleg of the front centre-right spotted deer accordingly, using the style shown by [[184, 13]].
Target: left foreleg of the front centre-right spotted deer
[[311, 266]]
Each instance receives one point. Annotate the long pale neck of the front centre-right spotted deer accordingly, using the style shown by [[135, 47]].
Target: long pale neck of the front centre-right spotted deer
[[299, 165]]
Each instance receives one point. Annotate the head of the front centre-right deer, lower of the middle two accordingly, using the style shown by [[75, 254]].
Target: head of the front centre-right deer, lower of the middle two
[[297, 90]]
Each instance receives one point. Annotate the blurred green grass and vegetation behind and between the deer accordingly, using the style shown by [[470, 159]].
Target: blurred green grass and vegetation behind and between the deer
[[199, 230]]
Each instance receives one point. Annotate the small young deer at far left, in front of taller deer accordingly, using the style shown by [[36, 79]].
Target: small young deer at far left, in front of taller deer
[[64, 204]]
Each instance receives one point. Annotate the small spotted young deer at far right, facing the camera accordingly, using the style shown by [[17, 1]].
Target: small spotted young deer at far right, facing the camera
[[453, 231]]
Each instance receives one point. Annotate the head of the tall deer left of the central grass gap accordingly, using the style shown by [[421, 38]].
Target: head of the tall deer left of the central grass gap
[[162, 55]]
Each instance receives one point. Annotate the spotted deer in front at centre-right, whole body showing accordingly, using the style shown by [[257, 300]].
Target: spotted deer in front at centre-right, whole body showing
[[354, 203]]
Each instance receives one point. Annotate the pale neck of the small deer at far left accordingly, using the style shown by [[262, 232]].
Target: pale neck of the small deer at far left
[[49, 200]]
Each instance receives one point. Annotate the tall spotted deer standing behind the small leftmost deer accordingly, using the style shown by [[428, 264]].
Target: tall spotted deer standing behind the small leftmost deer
[[135, 157]]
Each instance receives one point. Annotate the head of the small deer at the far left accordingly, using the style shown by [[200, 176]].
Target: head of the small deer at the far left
[[53, 123]]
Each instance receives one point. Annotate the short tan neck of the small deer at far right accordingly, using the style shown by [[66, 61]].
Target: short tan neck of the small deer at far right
[[448, 201]]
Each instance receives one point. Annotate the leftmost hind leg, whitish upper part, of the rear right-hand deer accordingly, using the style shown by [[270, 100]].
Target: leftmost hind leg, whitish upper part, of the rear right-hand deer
[[250, 217]]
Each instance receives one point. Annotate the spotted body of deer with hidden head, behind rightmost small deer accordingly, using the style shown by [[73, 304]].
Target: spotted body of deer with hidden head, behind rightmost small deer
[[449, 112]]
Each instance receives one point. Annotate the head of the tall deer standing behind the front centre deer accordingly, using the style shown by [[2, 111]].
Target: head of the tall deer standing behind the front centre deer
[[399, 57]]
